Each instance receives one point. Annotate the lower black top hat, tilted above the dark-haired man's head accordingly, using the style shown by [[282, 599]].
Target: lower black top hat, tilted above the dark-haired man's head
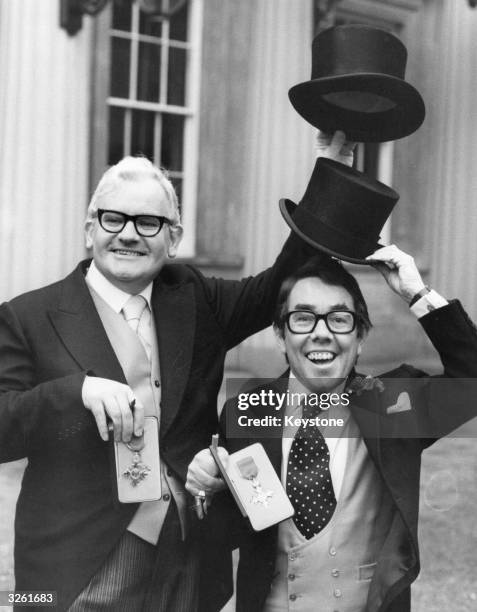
[[342, 211]]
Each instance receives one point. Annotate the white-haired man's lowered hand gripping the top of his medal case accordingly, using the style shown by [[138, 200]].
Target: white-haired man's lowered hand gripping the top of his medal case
[[109, 398]]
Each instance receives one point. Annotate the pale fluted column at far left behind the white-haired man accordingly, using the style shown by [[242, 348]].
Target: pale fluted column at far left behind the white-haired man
[[44, 125]]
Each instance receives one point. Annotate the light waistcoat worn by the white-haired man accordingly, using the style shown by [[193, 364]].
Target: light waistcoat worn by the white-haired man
[[142, 376]]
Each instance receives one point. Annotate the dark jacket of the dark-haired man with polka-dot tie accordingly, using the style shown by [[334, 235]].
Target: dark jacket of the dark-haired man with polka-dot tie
[[395, 440]]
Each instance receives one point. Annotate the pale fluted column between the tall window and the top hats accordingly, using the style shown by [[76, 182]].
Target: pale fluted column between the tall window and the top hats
[[279, 141]]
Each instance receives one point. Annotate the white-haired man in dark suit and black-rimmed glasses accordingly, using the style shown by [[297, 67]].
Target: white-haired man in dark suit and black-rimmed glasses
[[73, 359]]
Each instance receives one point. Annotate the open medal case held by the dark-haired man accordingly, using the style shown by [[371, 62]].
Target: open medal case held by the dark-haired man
[[255, 486]]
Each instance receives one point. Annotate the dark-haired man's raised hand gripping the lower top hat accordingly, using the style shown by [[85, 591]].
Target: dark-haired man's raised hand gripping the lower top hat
[[399, 269]]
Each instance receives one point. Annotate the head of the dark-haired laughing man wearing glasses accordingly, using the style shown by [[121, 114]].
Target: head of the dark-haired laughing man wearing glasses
[[321, 326]]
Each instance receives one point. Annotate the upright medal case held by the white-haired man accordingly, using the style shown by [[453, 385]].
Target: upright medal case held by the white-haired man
[[137, 466]]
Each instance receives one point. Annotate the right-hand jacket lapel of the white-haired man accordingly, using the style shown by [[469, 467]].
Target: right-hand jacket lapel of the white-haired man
[[174, 314]]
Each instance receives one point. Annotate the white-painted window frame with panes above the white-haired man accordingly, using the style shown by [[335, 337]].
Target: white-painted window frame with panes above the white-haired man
[[102, 101]]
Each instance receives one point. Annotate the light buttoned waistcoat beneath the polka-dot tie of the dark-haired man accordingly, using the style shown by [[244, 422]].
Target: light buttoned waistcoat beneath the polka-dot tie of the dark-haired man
[[332, 571]]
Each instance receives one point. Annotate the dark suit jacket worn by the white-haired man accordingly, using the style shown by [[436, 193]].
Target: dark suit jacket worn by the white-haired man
[[66, 520]]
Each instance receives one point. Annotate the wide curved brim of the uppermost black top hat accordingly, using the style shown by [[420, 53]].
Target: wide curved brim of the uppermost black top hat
[[402, 120]]
